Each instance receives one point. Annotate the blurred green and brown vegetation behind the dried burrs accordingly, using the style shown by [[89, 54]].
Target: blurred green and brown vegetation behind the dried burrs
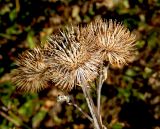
[[130, 96]]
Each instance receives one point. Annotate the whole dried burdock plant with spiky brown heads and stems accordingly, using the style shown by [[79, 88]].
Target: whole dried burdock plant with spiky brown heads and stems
[[74, 57]]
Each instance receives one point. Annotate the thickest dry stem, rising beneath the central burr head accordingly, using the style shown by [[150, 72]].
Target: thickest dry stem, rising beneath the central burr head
[[96, 122]]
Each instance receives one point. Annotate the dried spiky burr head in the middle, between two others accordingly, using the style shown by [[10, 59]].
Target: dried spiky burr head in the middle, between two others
[[72, 63]]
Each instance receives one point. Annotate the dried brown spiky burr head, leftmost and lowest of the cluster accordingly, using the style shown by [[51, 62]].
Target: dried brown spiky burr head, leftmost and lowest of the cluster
[[32, 72]]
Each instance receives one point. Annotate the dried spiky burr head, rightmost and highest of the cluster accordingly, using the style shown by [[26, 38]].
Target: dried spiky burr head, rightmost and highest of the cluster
[[116, 42]]
